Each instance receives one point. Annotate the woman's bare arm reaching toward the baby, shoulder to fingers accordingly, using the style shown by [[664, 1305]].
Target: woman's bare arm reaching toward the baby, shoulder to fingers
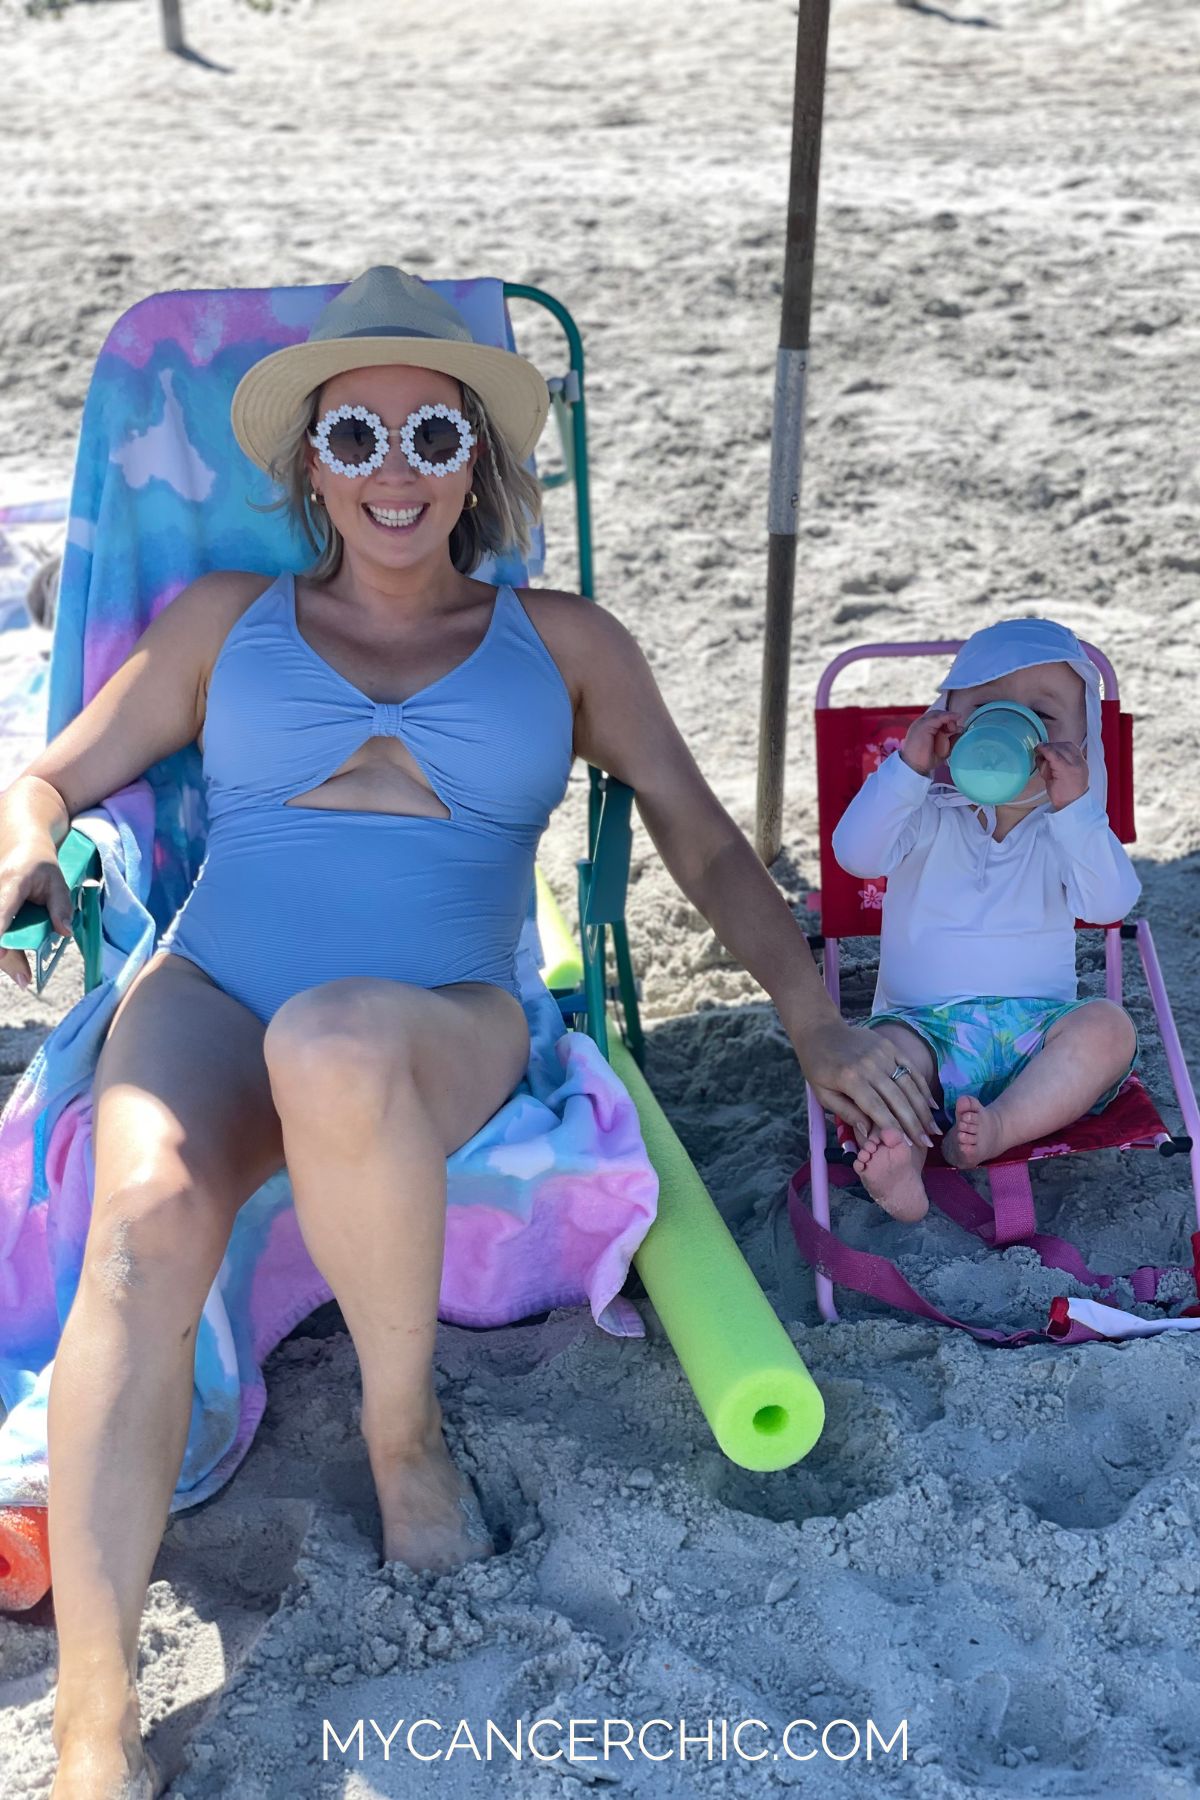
[[625, 728]]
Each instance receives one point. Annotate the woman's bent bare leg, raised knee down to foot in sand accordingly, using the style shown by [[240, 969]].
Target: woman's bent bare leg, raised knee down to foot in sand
[[377, 1084]]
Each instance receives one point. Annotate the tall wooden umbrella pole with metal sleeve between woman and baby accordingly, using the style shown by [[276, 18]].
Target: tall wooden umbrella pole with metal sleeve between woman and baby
[[787, 451]]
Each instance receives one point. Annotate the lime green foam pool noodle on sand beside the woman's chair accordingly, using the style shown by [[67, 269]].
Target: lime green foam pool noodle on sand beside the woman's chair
[[762, 1405]]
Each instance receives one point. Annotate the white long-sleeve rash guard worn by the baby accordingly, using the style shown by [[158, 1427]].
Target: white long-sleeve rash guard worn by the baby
[[967, 917]]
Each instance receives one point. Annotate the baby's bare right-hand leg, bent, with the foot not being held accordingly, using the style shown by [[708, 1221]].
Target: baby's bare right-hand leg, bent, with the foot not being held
[[1086, 1052]]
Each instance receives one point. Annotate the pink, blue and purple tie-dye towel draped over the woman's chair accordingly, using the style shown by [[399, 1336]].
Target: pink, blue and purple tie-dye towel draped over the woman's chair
[[546, 1205]]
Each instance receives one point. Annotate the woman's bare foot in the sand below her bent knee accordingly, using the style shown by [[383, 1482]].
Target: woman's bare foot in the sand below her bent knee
[[431, 1511]]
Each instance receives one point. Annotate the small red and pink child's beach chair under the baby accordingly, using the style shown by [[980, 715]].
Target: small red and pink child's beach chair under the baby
[[852, 741]]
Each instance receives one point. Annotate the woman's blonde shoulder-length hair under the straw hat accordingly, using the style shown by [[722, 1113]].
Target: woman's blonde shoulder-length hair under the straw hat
[[510, 498]]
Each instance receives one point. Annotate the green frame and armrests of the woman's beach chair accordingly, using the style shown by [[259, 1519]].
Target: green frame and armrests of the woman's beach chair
[[604, 874]]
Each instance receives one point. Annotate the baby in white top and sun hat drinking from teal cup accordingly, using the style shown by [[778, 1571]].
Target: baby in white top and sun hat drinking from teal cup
[[978, 964]]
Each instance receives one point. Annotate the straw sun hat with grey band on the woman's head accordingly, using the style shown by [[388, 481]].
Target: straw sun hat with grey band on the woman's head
[[388, 318]]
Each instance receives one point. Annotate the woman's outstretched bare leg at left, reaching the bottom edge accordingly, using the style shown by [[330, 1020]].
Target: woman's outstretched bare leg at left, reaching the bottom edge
[[184, 1131]]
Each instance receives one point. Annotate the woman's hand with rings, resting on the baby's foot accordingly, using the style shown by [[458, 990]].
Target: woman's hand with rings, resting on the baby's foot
[[850, 1070]]
